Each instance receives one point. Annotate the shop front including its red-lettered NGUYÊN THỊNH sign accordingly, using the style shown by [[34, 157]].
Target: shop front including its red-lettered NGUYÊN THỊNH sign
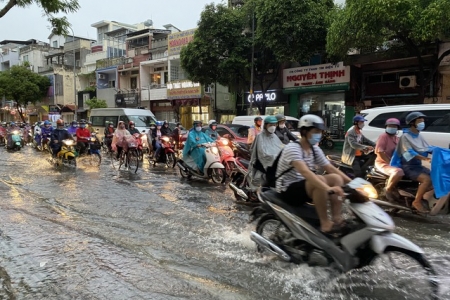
[[321, 90]]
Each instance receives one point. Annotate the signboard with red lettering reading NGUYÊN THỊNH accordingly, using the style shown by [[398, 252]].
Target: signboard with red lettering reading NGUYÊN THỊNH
[[318, 78]]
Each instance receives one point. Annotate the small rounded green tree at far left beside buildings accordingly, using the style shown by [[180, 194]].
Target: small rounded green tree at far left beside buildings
[[23, 86]]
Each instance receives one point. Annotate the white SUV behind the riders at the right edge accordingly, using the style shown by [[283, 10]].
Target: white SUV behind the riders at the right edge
[[437, 122]]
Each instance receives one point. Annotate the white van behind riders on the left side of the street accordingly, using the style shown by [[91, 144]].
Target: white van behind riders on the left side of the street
[[141, 117]]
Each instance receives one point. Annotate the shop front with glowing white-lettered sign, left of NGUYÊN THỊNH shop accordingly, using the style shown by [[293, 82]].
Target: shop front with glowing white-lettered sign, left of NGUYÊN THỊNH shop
[[277, 103]]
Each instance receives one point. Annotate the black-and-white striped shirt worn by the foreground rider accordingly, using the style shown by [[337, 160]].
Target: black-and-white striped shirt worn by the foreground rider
[[294, 152]]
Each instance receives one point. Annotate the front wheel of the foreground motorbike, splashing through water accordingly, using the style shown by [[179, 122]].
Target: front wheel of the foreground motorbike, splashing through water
[[415, 265]]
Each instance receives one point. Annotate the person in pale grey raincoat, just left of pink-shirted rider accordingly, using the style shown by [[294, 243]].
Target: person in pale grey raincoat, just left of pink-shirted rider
[[355, 148]]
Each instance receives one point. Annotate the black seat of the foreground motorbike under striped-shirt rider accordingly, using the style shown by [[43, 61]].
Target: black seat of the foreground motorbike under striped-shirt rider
[[306, 211]]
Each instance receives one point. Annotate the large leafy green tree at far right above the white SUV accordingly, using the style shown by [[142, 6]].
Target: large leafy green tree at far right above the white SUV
[[388, 24]]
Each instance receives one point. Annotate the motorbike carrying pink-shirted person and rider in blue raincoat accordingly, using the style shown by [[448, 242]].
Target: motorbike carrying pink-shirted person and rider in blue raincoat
[[407, 190]]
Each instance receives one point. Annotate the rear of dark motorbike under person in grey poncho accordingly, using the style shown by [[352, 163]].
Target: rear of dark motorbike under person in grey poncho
[[239, 183]]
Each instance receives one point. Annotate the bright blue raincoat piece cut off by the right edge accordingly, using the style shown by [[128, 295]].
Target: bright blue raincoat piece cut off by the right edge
[[440, 171]]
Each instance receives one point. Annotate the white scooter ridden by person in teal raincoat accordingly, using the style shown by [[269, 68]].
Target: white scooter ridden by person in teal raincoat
[[213, 169]]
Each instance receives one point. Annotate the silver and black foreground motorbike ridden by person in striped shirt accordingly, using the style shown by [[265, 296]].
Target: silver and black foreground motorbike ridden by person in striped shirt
[[296, 235]]
